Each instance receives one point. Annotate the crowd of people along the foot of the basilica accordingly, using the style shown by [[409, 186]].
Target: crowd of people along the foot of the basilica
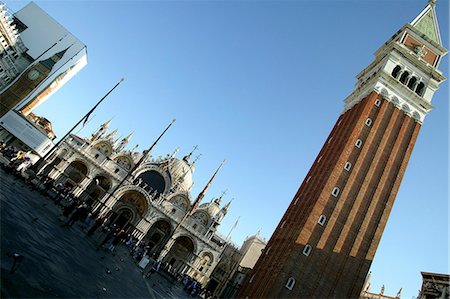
[[76, 212]]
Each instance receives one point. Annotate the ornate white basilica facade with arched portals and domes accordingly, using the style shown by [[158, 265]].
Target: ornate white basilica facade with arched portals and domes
[[153, 203]]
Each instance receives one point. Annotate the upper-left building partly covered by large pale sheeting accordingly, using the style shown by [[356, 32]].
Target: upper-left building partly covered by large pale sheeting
[[37, 57]]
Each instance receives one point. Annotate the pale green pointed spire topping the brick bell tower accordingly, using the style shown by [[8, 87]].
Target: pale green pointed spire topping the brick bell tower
[[426, 23]]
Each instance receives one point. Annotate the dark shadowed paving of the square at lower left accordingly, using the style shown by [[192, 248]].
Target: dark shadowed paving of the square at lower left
[[62, 262]]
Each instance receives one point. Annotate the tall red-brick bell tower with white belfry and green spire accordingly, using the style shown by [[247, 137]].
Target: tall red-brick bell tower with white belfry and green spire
[[325, 243]]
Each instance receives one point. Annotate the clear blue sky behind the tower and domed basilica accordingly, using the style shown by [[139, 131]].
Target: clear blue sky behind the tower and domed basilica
[[260, 83]]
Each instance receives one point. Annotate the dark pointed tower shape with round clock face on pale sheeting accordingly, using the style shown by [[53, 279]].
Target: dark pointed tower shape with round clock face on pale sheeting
[[27, 82]]
